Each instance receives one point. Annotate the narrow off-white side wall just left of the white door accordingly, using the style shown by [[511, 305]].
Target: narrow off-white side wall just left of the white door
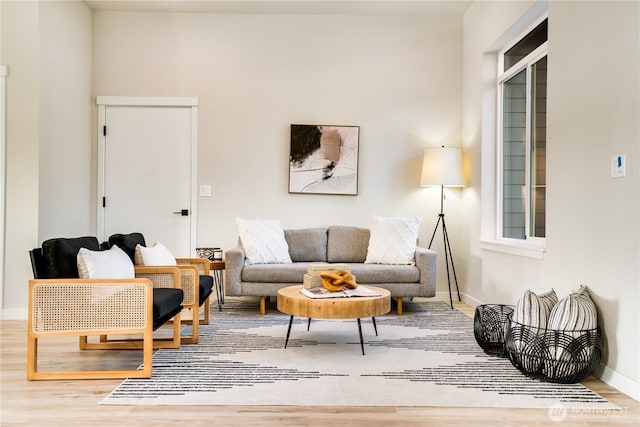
[[67, 156]]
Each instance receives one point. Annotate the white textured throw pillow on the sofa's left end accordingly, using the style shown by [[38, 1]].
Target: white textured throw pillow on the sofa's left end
[[263, 241]]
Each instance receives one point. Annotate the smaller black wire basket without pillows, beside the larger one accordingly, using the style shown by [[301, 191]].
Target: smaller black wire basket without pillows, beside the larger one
[[490, 327]]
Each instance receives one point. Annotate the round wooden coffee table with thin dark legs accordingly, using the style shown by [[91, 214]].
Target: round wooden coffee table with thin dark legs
[[294, 303]]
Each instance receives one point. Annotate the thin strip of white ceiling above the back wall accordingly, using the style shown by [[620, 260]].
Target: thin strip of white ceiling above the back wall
[[314, 7]]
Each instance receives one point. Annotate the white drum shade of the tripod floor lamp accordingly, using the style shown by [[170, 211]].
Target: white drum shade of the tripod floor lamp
[[442, 166]]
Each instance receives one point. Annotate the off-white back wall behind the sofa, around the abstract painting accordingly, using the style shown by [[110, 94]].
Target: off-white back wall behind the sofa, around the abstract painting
[[397, 77]]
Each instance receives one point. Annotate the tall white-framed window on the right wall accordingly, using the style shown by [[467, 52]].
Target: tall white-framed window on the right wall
[[522, 91]]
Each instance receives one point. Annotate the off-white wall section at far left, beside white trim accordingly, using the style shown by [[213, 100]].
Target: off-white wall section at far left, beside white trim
[[19, 52]]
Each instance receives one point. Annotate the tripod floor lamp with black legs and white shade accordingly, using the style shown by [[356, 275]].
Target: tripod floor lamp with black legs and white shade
[[443, 167]]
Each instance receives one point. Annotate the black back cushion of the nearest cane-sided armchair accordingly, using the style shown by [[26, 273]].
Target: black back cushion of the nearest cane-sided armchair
[[60, 255]]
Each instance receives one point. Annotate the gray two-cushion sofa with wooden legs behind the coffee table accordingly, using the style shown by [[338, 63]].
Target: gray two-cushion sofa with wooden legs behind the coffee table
[[334, 244]]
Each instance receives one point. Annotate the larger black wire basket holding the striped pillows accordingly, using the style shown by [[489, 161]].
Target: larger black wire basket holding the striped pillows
[[557, 356]]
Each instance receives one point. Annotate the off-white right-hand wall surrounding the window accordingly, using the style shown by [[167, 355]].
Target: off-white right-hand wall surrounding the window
[[592, 220]]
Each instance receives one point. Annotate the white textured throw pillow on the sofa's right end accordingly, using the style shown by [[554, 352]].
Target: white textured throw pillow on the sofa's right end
[[393, 240]]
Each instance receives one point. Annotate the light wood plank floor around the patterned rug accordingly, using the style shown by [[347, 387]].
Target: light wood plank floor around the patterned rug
[[63, 403]]
